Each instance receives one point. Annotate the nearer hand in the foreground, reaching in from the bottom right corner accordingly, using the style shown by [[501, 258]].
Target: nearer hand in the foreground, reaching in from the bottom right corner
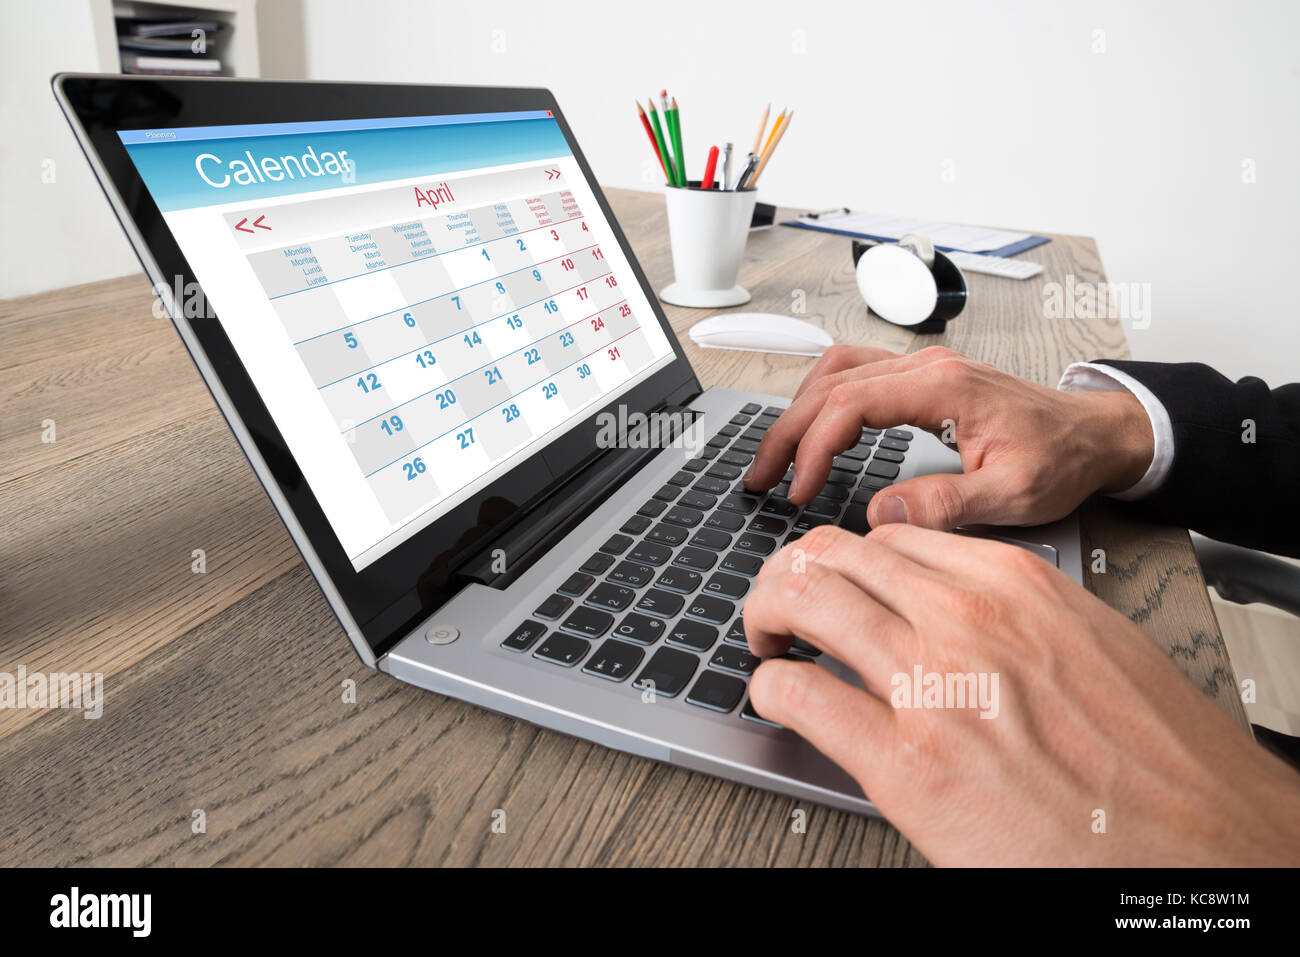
[[1093, 725]]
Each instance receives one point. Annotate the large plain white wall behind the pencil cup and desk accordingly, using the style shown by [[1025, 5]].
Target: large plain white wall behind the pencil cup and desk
[[1141, 146]]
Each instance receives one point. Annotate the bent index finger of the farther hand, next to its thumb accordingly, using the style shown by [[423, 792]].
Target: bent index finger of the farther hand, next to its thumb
[[924, 397]]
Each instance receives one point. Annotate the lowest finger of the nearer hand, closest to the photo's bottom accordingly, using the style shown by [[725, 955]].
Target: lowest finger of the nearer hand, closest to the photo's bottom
[[851, 728]]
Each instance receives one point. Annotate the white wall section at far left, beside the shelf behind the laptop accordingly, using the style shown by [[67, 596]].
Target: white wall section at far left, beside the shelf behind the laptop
[[60, 231]]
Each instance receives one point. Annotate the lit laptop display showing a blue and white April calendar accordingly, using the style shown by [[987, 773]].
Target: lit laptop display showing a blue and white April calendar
[[422, 302]]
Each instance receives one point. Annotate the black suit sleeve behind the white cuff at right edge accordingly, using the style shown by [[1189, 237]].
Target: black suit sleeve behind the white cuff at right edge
[[1237, 456]]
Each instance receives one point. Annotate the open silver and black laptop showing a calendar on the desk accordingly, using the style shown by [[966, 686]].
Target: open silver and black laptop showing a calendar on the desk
[[434, 343]]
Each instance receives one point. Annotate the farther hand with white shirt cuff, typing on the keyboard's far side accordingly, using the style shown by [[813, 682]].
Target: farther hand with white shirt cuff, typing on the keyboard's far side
[[1030, 454]]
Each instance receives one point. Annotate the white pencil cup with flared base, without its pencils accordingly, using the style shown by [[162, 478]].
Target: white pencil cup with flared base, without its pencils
[[708, 229]]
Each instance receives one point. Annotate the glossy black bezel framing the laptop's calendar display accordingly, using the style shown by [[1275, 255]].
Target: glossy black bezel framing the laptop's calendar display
[[391, 595]]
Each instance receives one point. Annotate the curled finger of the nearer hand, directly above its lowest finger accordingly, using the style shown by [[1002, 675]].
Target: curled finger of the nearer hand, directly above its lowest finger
[[816, 605]]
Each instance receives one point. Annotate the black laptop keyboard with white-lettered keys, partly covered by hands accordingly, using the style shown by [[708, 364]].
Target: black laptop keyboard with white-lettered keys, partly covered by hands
[[660, 604]]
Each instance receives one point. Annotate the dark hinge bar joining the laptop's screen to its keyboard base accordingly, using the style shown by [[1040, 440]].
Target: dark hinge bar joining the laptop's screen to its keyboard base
[[571, 503]]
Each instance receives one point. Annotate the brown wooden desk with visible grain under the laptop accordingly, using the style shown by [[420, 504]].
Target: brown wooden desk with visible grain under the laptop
[[224, 691]]
